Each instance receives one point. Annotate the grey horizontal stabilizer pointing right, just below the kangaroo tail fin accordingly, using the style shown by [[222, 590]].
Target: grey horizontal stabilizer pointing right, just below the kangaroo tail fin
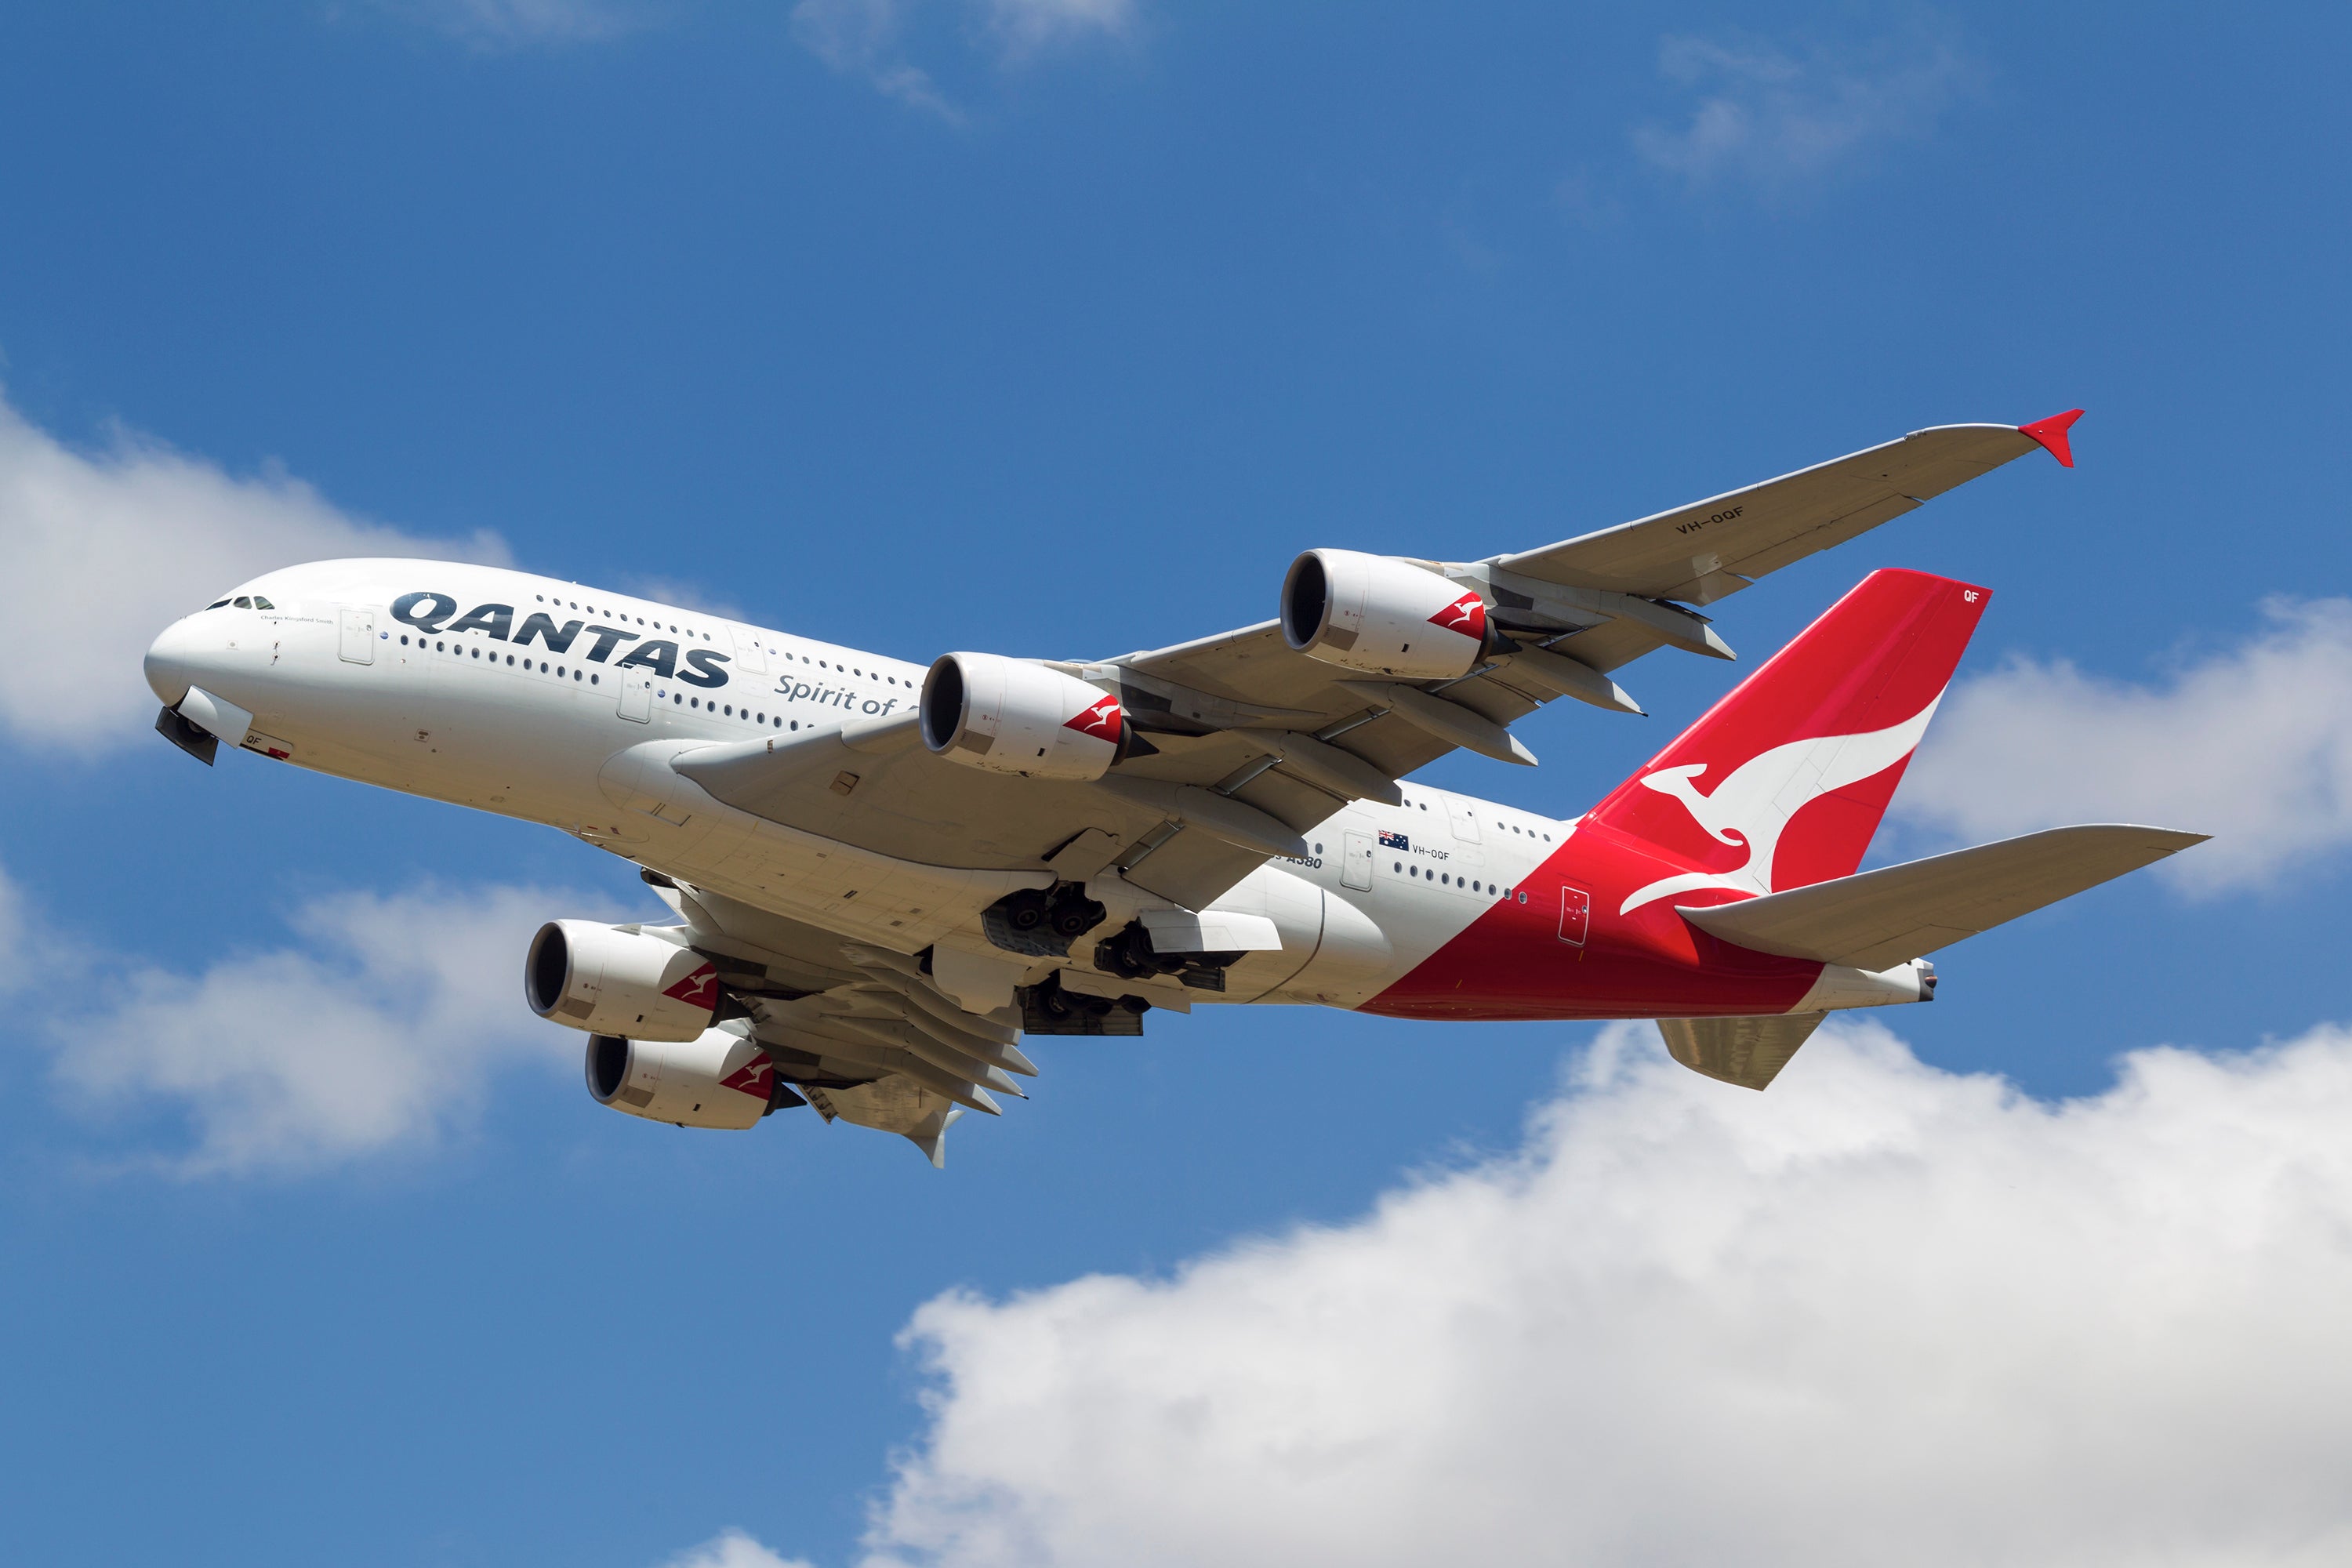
[[1890, 916]]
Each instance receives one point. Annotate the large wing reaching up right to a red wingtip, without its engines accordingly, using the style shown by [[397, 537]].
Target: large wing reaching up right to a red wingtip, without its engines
[[1252, 744]]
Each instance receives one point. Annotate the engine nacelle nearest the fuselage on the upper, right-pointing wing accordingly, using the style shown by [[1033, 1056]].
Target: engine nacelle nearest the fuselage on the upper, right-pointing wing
[[1008, 716]]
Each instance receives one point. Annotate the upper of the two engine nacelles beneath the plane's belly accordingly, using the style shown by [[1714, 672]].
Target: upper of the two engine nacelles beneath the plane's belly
[[610, 979]]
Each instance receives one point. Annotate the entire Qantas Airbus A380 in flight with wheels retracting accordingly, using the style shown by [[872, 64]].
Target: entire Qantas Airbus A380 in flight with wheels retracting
[[886, 873]]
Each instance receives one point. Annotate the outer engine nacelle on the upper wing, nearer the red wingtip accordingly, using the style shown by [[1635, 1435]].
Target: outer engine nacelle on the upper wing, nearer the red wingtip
[[1382, 617]]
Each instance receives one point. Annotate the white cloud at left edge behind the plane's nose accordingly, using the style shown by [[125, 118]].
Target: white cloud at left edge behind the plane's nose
[[105, 549]]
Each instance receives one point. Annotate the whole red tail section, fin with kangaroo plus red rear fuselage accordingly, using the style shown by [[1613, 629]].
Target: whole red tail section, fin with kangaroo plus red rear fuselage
[[1777, 786]]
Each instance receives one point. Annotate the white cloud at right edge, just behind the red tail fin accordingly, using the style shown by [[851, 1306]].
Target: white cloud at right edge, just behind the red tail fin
[[2250, 744]]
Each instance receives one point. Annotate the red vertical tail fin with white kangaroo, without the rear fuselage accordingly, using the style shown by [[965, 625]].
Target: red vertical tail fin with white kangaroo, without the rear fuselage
[[1784, 782]]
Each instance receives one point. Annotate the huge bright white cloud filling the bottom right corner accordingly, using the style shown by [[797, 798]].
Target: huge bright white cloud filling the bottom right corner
[[1878, 1315]]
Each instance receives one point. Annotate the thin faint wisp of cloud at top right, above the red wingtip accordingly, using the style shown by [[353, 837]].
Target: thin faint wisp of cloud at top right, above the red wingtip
[[1772, 116]]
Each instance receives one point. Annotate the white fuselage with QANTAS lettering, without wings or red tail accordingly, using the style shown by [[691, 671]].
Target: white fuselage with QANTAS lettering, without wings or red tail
[[568, 711]]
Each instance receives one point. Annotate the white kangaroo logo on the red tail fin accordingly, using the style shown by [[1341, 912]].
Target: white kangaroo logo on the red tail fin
[[1760, 798]]
